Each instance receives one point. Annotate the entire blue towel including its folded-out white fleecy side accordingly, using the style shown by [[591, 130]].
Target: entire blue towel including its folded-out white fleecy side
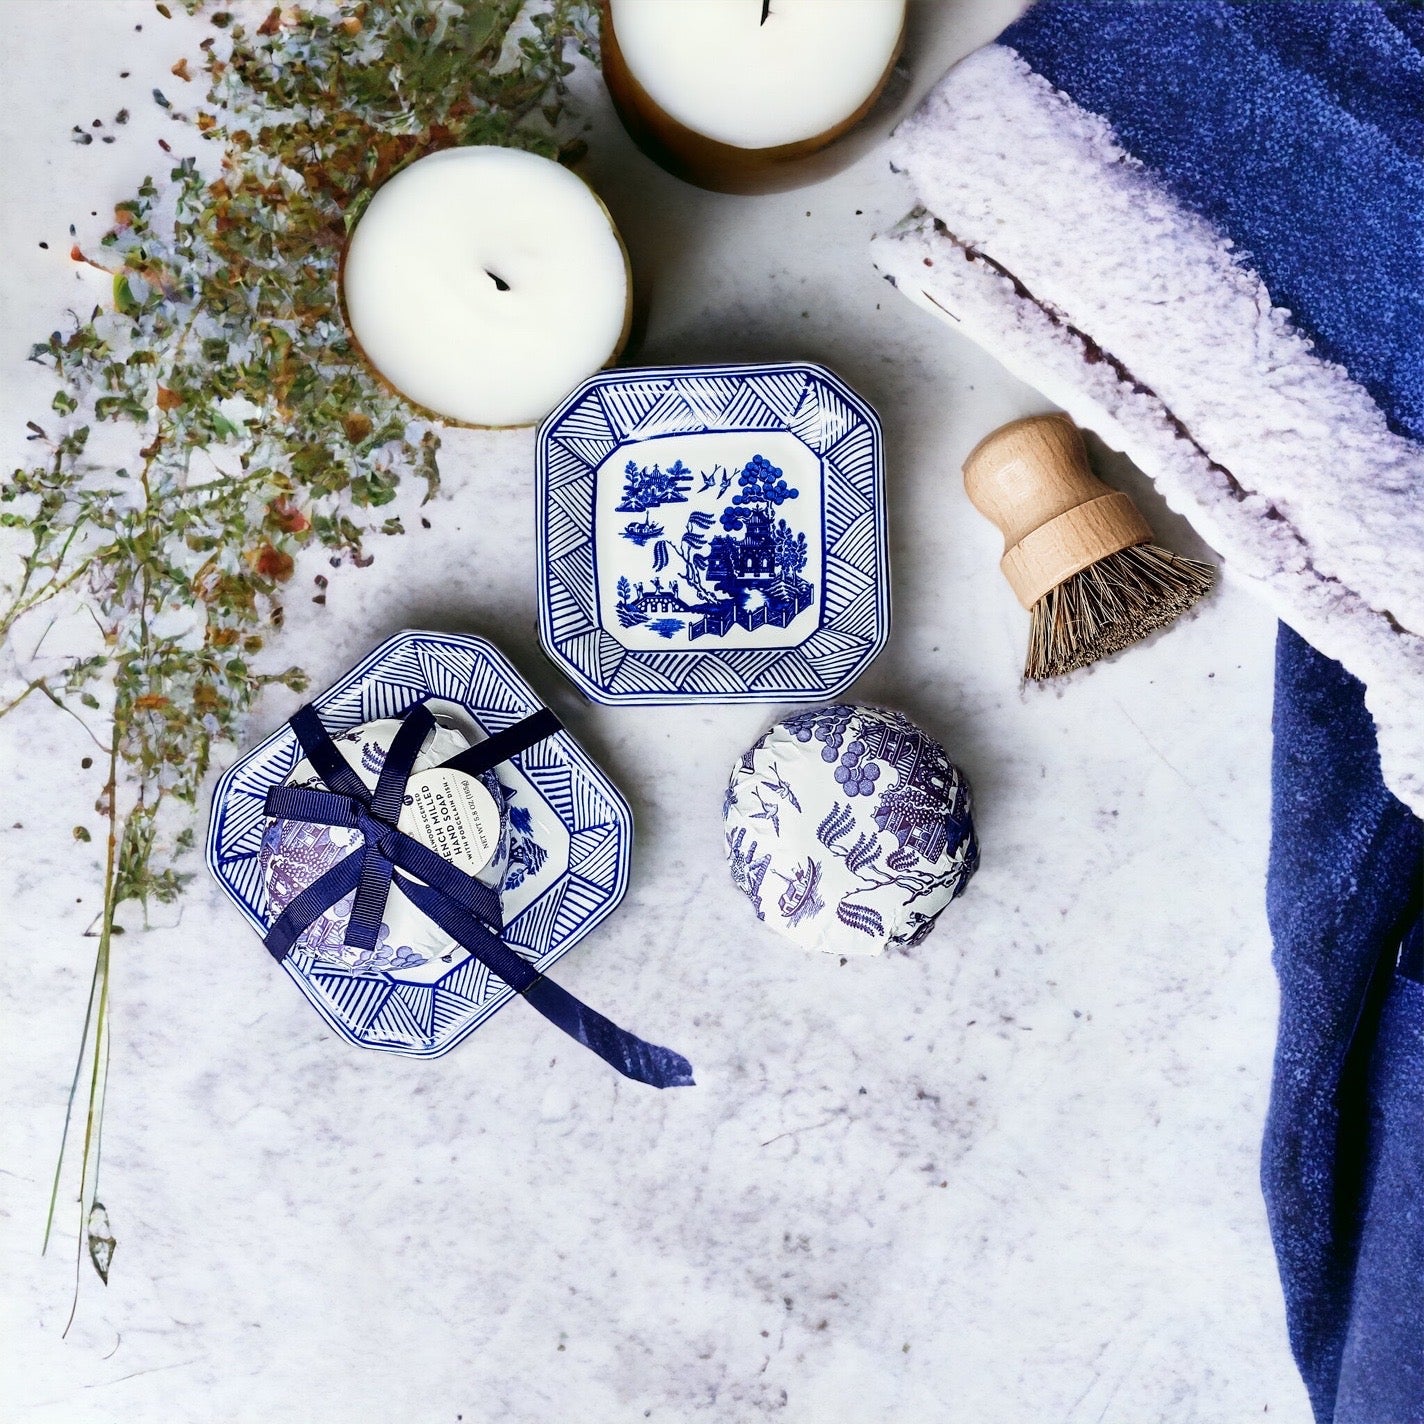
[[1200, 224]]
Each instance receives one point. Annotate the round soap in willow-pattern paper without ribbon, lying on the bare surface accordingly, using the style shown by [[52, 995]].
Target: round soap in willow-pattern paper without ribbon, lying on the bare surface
[[849, 829]]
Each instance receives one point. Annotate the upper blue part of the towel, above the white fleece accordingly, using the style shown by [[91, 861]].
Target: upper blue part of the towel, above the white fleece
[[1324, 206]]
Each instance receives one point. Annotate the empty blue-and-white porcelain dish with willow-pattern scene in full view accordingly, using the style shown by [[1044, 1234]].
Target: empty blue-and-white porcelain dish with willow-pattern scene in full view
[[713, 535]]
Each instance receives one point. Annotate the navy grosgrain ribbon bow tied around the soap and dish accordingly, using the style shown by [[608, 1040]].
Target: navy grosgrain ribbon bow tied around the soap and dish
[[468, 911]]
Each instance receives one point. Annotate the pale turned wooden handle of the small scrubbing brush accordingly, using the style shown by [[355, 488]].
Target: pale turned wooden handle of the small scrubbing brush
[[1032, 478]]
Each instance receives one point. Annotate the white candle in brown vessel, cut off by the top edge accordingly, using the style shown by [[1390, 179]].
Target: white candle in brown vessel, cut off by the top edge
[[731, 93]]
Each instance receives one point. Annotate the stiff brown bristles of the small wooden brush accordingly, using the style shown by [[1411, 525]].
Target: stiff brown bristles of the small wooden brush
[[1110, 606]]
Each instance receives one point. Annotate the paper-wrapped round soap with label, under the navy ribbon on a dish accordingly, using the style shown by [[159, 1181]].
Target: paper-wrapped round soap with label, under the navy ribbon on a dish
[[459, 817]]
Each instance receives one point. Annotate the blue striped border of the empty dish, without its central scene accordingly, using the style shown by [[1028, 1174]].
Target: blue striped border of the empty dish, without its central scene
[[622, 407]]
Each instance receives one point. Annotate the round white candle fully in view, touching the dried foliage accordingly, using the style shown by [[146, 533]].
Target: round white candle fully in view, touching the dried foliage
[[485, 284]]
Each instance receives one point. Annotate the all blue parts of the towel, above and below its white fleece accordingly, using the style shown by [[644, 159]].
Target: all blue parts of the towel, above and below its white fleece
[[1297, 129]]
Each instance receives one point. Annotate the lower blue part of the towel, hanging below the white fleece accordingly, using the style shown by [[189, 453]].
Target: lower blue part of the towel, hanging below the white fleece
[[1344, 1161]]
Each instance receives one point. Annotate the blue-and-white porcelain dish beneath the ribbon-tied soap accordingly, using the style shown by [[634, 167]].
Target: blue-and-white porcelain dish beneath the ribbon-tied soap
[[570, 844]]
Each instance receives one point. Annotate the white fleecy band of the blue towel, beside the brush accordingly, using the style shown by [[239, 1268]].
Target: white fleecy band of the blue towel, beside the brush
[[1054, 250]]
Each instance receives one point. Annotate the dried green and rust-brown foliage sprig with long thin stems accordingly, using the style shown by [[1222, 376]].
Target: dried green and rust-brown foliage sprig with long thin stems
[[214, 419]]
